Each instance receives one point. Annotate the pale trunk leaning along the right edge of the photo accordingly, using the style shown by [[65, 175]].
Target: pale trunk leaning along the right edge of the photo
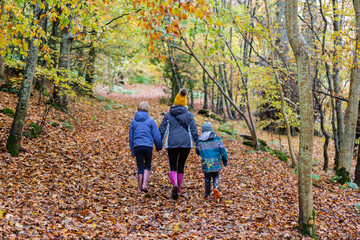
[[347, 146]]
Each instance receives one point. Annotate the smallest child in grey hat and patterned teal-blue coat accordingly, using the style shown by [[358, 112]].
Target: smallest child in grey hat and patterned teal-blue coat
[[213, 156]]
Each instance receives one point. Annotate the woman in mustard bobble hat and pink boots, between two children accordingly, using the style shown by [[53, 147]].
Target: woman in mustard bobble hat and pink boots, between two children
[[179, 131]]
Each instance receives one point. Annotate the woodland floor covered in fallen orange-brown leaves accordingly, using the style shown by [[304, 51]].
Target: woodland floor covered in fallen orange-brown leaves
[[81, 184]]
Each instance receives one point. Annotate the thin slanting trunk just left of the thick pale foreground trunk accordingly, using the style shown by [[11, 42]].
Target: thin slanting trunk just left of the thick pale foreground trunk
[[283, 110]]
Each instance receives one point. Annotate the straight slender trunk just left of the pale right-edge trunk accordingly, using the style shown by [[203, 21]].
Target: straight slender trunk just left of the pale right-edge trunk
[[336, 80]]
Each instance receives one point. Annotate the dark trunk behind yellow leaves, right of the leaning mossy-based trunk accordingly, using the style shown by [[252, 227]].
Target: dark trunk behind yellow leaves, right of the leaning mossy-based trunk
[[59, 95]]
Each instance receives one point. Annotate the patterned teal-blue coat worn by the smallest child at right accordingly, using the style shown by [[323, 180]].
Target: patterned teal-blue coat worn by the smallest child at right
[[212, 151]]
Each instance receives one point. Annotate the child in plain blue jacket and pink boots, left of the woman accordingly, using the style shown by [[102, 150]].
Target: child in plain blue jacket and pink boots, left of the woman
[[142, 134]]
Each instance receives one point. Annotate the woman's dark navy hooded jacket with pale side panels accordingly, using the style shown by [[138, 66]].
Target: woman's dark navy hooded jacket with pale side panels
[[178, 128]]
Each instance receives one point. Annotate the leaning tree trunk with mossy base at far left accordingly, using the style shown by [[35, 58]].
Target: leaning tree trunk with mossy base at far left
[[17, 127]]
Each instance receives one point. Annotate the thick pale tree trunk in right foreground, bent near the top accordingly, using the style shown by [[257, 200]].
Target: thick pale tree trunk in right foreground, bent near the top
[[301, 52]]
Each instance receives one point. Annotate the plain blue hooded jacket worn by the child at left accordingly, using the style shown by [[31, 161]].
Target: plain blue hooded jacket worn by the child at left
[[143, 132]]
